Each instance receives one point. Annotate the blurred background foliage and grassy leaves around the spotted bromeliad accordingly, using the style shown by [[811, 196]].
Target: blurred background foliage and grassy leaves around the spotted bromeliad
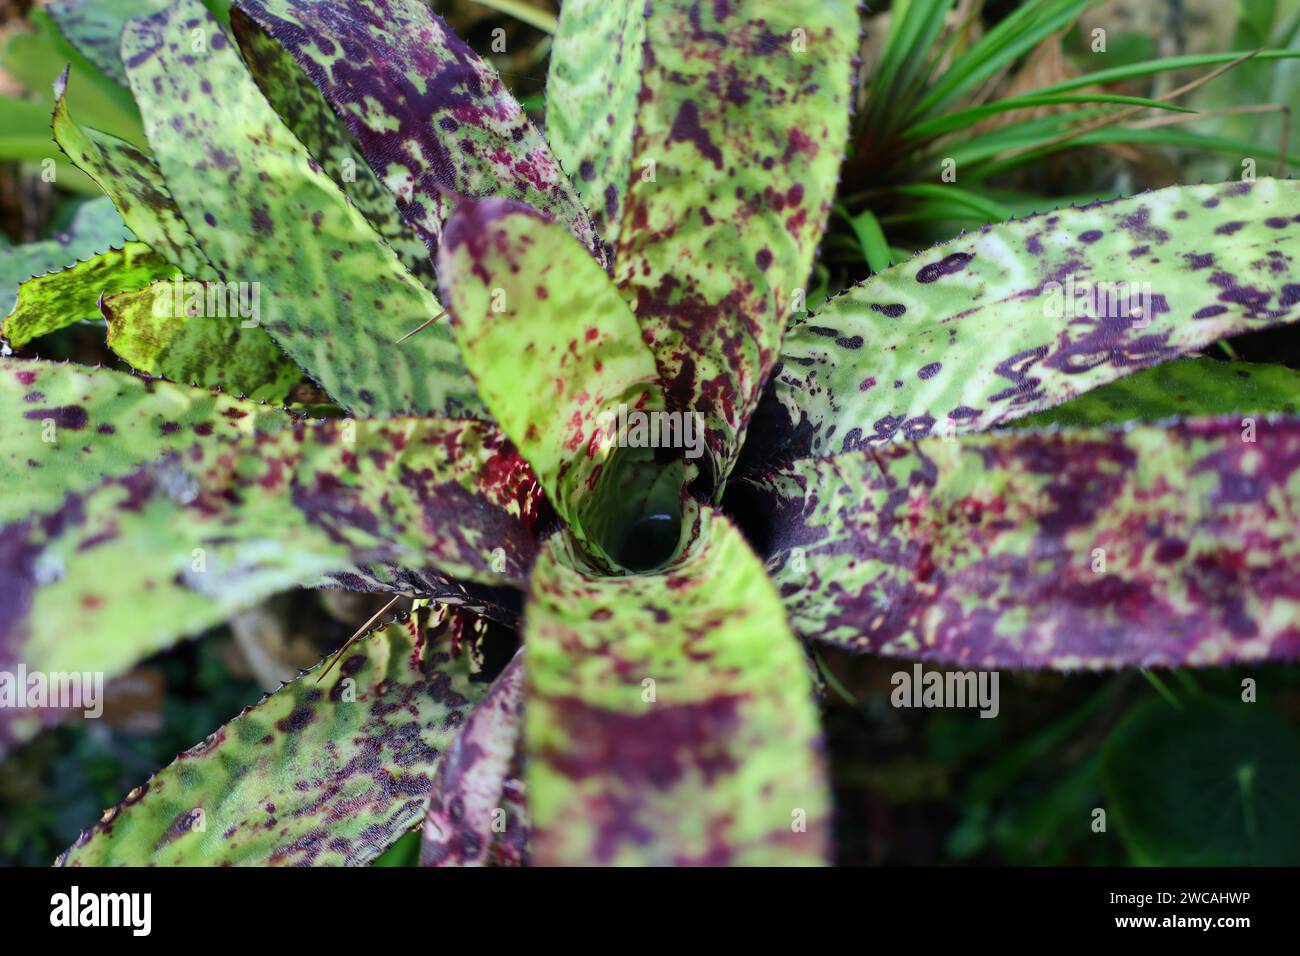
[[1029, 106]]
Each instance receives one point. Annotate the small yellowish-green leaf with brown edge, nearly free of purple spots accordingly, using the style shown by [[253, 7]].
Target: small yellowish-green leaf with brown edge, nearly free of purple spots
[[200, 334]]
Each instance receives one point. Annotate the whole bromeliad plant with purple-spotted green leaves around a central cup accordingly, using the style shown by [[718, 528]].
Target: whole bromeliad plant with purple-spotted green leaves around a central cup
[[852, 490]]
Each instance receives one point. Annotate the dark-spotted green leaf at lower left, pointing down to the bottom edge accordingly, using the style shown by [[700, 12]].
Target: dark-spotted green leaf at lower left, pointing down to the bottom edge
[[319, 775]]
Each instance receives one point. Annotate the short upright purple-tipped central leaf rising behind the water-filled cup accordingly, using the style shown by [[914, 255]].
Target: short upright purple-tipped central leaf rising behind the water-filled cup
[[553, 348]]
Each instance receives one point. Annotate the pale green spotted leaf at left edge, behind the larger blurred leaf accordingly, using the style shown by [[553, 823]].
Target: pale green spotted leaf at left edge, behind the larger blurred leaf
[[68, 427]]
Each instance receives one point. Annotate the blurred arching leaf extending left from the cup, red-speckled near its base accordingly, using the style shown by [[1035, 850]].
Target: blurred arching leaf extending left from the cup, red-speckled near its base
[[245, 511]]
